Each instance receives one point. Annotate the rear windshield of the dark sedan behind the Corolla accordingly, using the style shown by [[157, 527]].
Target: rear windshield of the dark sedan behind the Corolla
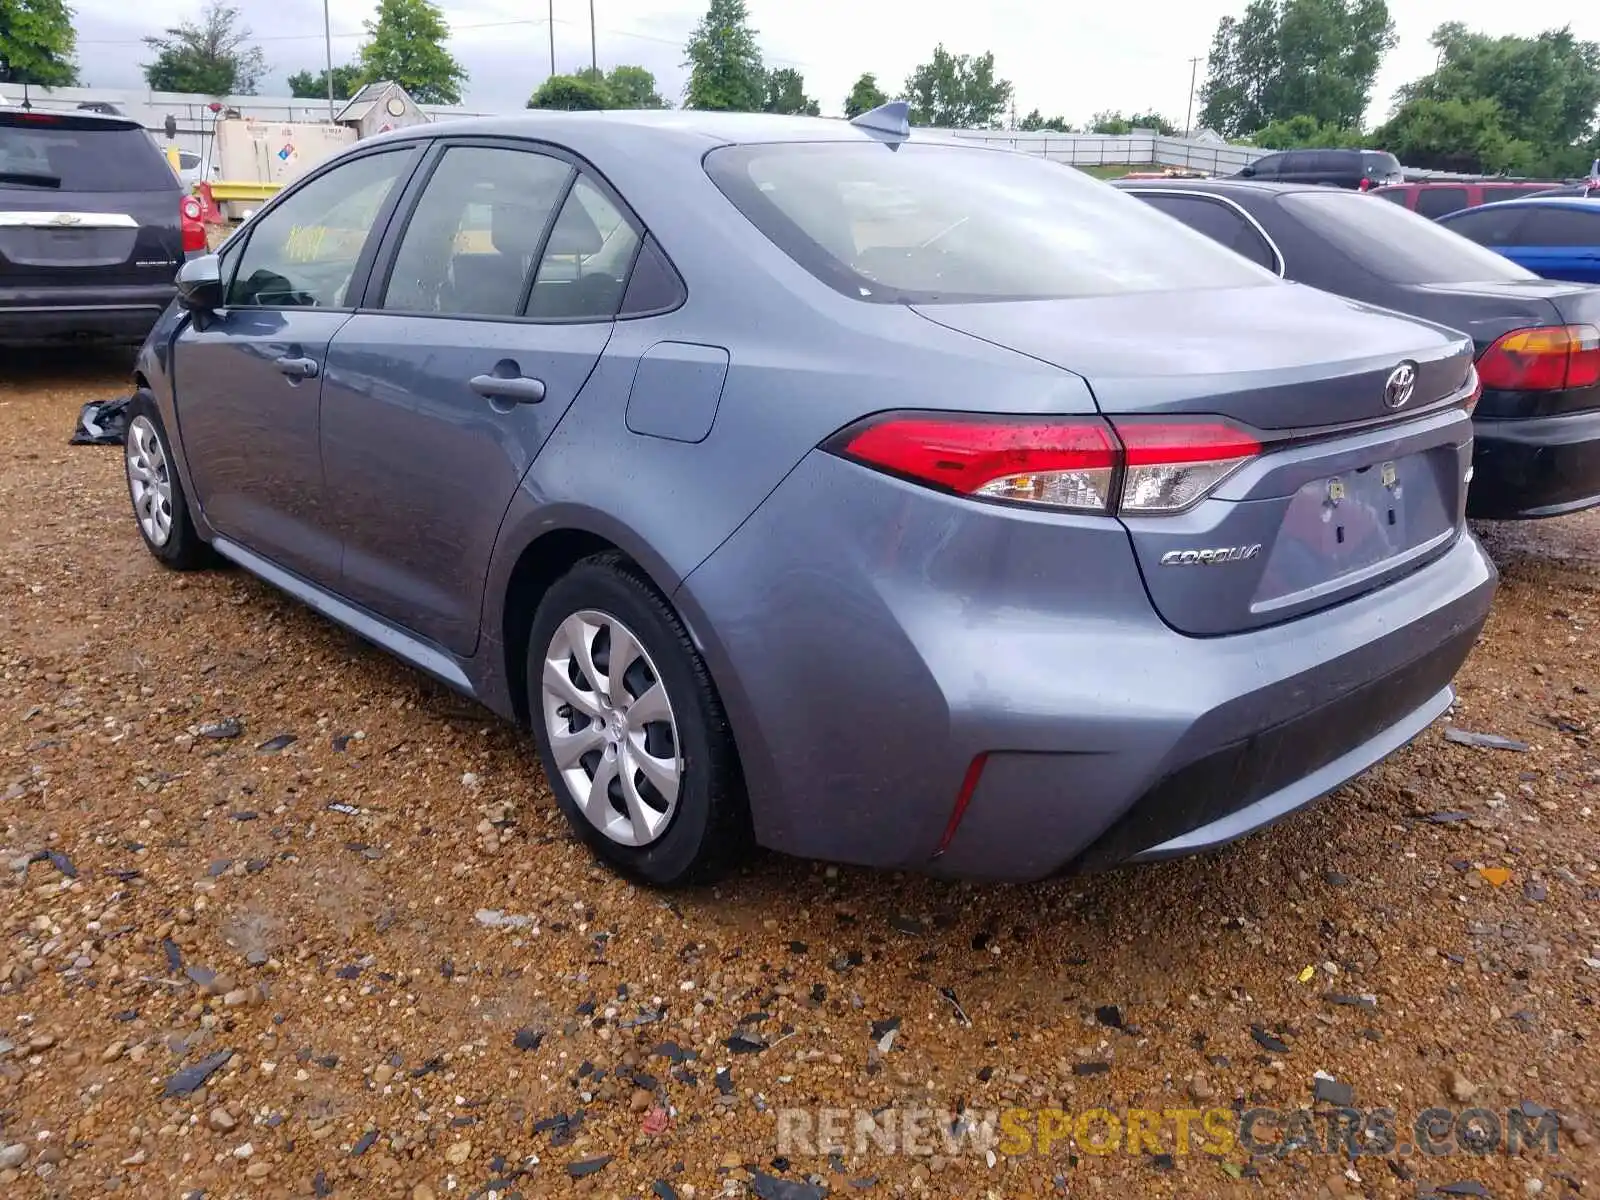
[[1394, 244]]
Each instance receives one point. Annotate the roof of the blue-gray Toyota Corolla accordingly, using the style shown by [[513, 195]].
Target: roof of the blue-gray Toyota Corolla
[[690, 127]]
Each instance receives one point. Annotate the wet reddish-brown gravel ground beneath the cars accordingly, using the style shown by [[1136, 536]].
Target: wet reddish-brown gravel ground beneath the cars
[[238, 841]]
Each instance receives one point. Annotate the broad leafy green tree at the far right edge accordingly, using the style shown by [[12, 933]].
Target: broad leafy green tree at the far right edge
[[1513, 98]]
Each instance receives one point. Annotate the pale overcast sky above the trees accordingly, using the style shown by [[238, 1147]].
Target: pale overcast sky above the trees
[[1065, 58]]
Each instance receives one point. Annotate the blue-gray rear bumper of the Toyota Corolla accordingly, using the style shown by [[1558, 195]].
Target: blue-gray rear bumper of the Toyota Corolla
[[866, 663]]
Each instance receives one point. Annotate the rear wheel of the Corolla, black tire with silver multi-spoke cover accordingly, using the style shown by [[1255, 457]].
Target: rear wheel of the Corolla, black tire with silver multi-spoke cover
[[671, 719]]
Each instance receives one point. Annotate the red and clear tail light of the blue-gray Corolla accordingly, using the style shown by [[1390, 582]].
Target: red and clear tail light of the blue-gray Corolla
[[1078, 465]]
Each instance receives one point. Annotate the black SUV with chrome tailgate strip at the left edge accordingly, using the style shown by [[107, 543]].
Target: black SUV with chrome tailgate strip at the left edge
[[90, 228]]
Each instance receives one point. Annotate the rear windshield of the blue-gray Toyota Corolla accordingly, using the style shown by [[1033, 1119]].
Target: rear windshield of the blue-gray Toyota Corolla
[[929, 225]]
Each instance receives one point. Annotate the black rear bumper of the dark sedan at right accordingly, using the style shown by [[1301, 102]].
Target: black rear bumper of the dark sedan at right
[[1526, 468]]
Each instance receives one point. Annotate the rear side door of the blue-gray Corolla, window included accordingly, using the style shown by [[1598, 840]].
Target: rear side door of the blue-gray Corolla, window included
[[498, 295]]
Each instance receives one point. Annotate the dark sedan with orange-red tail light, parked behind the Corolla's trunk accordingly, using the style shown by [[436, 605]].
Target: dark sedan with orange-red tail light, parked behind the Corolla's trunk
[[1537, 342]]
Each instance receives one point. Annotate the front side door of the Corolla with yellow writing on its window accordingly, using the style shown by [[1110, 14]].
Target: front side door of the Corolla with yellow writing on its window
[[249, 378]]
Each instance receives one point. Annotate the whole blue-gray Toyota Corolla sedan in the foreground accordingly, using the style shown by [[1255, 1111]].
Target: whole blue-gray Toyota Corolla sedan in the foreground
[[871, 497]]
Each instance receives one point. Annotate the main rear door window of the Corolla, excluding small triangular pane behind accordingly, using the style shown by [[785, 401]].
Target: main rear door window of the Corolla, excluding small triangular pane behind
[[470, 247]]
